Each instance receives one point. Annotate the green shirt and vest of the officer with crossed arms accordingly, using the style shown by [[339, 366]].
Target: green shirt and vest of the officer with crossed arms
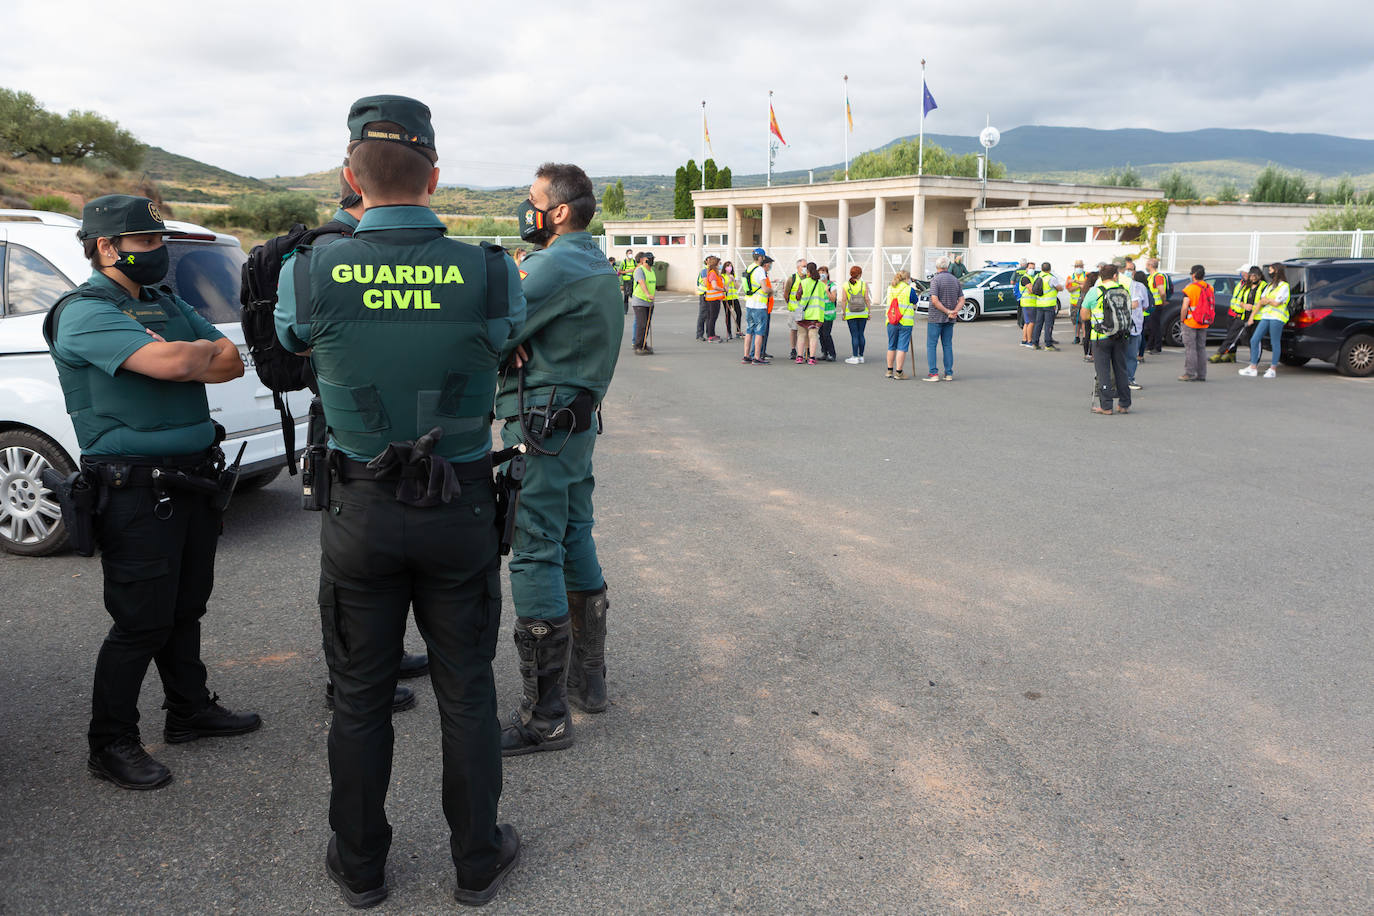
[[116, 411]]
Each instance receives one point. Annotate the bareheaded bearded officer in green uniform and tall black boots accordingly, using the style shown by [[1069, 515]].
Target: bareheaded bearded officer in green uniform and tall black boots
[[567, 352]]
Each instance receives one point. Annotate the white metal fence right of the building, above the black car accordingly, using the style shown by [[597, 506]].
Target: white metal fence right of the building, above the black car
[[1226, 252]]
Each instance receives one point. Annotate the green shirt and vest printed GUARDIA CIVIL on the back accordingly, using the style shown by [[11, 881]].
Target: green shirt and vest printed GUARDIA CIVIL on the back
[[402, 334]]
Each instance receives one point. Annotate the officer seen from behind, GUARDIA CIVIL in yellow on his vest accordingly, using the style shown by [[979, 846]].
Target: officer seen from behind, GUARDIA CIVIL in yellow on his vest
[[405, 329]]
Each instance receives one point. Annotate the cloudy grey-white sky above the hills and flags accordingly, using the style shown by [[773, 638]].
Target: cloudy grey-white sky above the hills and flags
[[264, 89]]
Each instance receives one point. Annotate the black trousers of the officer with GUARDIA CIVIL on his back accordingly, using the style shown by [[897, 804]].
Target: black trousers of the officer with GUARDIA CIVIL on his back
[[379, 558]]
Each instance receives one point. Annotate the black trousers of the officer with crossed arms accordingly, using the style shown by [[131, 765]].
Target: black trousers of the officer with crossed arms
[[159, 577]]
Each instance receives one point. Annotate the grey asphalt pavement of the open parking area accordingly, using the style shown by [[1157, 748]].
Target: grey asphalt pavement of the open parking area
[[876, 648]]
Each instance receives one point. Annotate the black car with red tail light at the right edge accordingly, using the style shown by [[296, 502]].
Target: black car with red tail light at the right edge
[[1332, 314]]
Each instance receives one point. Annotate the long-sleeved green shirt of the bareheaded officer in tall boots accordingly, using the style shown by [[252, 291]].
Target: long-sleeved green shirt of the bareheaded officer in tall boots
[[574, 325]]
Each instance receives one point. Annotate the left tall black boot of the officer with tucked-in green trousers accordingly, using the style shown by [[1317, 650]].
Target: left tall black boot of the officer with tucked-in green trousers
[[542, 723]]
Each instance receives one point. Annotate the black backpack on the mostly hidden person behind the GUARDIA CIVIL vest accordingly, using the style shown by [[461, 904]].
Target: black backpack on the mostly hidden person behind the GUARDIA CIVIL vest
[[277, 367]]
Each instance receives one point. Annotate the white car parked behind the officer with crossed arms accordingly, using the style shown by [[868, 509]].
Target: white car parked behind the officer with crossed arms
[[41, 259]]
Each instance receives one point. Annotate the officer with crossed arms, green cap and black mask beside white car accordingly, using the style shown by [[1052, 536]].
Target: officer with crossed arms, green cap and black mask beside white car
[[134, 362]]
